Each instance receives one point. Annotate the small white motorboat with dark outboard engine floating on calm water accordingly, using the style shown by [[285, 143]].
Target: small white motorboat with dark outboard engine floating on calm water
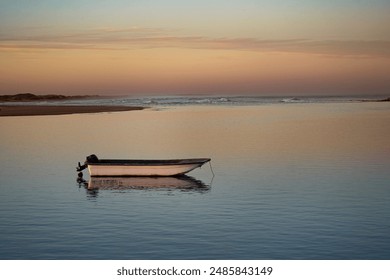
[[138, 167]]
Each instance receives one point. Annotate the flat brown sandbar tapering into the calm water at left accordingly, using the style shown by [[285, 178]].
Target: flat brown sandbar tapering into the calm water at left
[[38, 110]]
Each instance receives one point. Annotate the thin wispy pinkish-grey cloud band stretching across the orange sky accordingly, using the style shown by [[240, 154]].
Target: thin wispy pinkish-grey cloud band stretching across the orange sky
[[136, 37]]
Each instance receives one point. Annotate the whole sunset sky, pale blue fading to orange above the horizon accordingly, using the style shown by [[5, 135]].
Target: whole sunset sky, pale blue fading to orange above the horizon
[[230, 47]]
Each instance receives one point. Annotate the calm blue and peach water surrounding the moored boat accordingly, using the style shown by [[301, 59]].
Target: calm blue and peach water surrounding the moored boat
[[292, 181]]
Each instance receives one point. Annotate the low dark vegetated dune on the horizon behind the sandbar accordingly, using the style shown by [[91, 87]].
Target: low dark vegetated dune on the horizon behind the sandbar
[[25, 97]]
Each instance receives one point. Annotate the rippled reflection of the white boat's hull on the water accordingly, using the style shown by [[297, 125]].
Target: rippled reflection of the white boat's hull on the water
[[181, 183]]
